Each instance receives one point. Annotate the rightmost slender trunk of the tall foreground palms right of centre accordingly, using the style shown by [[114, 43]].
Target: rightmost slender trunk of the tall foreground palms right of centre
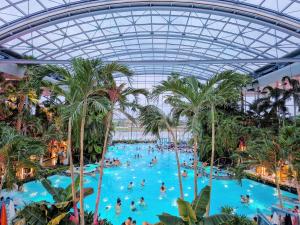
[[212, 158]]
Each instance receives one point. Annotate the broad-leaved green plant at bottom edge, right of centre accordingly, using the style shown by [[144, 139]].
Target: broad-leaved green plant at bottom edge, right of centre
[[194, 213]]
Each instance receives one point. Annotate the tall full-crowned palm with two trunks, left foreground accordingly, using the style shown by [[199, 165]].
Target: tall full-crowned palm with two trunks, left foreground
[[80, 86]]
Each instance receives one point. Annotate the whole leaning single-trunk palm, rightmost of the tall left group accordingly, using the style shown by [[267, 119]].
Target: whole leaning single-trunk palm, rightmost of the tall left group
[[118, 96]]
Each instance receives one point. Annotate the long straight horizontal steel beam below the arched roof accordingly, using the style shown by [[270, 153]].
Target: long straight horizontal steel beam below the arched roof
[[162, 62]]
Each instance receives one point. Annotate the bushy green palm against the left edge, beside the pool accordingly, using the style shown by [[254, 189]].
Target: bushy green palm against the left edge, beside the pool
[[15, 152]]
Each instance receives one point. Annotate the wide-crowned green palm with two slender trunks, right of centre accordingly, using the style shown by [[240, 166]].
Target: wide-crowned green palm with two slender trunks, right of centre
[[191, 98]]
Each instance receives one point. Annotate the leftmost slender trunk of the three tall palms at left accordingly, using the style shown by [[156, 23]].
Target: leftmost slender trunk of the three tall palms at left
[[72, 167]]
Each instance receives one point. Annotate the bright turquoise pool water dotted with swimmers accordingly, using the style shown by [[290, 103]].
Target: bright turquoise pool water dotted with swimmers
[[115, 181]]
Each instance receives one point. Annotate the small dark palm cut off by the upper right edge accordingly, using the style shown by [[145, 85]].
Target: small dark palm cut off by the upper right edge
[[293, 91]]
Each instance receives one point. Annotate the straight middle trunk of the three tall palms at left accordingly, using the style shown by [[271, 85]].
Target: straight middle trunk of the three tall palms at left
[[84, 109]]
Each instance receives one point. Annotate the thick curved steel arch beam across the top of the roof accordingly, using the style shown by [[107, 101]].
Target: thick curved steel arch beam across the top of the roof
[[82, 9]]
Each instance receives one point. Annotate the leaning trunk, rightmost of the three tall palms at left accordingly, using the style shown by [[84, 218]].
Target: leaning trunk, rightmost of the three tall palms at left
[[101, 166]]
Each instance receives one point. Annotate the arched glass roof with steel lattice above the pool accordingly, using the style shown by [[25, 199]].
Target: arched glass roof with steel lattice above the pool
[[153, 30]]
